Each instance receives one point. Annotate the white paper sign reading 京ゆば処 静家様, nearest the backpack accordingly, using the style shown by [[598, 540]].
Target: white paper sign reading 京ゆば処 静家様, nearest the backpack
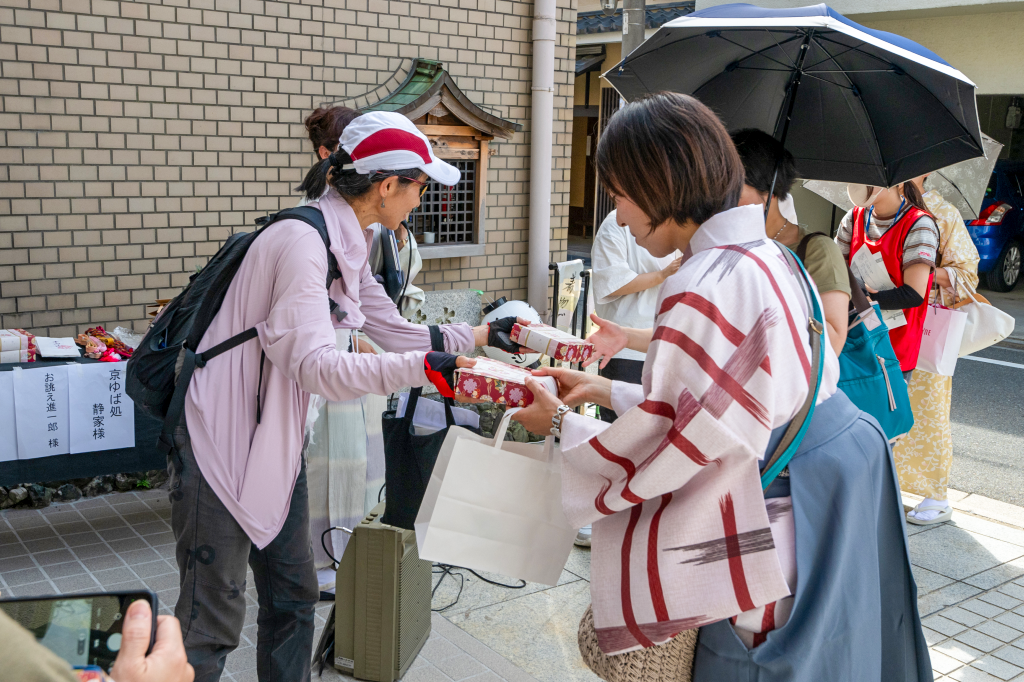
[[103, 417]]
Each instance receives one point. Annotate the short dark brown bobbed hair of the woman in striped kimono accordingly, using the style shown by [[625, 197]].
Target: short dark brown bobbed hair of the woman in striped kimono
[[672, 157]]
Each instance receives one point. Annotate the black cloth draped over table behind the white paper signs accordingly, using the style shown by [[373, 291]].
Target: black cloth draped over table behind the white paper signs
[[144, 457]]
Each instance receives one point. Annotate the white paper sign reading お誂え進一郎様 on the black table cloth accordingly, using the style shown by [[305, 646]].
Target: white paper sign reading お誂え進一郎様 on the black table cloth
[[41, 409]]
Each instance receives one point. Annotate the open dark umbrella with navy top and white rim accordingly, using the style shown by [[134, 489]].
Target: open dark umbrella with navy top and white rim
[[851, 104]]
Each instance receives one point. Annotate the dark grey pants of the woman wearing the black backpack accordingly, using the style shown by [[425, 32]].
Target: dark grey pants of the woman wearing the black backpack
[[212, 555]]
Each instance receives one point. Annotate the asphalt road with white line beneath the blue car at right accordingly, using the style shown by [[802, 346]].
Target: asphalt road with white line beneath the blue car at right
[[989, 425]]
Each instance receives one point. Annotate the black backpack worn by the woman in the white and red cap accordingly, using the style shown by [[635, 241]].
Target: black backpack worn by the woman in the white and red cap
[[161, 369]]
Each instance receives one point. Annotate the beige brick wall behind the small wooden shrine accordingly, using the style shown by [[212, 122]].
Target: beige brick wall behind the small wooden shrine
[[136, 137]]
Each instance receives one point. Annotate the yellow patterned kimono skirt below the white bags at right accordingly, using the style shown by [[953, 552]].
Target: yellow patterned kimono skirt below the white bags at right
[[925, 456]]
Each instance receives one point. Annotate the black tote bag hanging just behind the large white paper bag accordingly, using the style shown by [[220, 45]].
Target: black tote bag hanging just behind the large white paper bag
[[409, 459]]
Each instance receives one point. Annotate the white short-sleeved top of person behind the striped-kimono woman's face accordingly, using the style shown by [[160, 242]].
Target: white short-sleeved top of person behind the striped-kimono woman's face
[[617, 260]]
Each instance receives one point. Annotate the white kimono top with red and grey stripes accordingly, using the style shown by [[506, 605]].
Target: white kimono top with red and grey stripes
[[681, 533]]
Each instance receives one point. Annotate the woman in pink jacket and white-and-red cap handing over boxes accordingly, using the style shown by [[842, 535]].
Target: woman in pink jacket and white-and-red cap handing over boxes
[[239, 496]]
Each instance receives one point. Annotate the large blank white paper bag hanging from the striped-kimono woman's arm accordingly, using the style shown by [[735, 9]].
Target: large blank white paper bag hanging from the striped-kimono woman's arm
[[496, 506]]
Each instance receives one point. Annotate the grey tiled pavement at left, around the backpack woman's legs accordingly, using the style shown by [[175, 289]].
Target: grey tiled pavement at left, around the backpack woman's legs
[[124, 542]]
